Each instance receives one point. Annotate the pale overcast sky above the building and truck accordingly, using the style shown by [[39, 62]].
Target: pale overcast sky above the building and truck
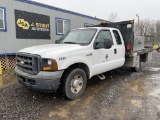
[[126, 9]]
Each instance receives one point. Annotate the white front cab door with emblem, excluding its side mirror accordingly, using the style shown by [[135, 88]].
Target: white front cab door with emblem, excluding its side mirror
[[104, 59]]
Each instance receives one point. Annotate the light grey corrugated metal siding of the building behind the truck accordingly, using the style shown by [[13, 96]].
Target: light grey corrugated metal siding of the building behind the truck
[[8, 41]]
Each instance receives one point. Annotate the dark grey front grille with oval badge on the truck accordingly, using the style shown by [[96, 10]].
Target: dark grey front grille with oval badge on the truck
[[28, 63]]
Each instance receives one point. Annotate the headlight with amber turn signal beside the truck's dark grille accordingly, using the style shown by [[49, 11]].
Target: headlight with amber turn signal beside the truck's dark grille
[[49, 65]]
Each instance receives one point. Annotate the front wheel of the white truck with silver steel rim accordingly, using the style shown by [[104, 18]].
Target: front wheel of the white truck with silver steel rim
[[74, 83]]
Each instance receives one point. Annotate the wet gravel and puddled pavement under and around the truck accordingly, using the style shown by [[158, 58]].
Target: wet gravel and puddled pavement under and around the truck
[[123, 95]]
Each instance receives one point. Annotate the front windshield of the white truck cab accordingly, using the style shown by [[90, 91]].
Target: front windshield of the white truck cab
[[79, 36]]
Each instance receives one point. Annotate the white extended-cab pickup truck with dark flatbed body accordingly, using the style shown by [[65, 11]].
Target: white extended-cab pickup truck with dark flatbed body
[[79, 55]]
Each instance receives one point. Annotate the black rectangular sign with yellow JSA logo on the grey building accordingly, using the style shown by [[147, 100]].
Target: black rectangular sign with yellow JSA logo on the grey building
[[31, 25]]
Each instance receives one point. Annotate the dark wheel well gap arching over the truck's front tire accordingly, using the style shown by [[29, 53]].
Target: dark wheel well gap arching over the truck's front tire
[[78, 65]]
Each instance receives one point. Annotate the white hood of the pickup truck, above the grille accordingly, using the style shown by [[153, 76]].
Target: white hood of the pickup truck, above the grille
[[50, 50]]
